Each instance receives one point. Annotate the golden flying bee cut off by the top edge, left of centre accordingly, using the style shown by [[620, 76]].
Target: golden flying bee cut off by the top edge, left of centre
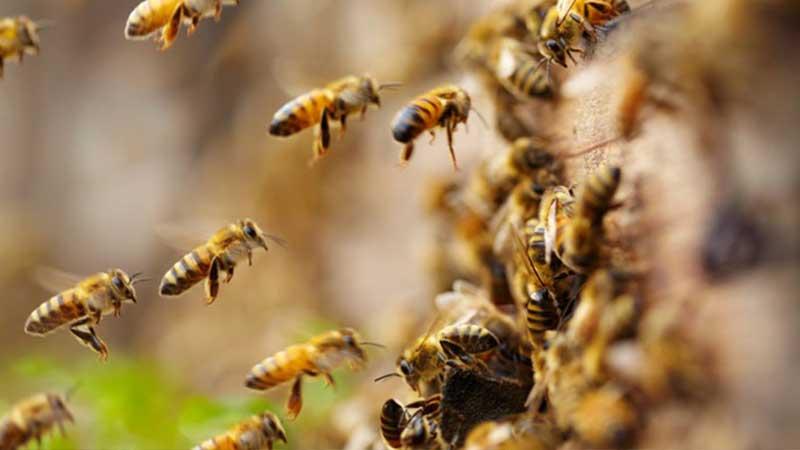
[[150, 16]]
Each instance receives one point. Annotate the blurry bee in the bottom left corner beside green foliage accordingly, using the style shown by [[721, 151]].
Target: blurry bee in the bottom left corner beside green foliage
[[32, 418]]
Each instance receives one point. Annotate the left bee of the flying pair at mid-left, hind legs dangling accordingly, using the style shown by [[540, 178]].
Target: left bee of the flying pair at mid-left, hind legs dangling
[[82, 307]]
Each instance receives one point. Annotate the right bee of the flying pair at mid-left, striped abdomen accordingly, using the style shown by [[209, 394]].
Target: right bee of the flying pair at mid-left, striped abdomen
[[219, 254]]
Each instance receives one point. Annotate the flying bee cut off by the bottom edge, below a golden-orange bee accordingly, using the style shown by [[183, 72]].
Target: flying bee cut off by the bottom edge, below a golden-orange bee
[[256, 433]]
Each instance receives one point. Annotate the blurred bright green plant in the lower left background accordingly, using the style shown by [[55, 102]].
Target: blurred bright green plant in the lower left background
[[137, 404]]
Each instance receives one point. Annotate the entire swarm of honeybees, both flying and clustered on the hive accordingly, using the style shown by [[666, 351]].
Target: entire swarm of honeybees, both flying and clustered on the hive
[[540, 343]]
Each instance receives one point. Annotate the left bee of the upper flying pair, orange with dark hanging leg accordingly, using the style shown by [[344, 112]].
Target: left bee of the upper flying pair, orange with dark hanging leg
[[333, 103]]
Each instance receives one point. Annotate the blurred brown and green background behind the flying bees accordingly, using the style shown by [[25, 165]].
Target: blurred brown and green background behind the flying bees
[[104, 141]]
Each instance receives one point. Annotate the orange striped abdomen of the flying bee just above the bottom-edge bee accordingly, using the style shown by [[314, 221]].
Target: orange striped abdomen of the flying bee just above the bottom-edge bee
[[281, 367]]
